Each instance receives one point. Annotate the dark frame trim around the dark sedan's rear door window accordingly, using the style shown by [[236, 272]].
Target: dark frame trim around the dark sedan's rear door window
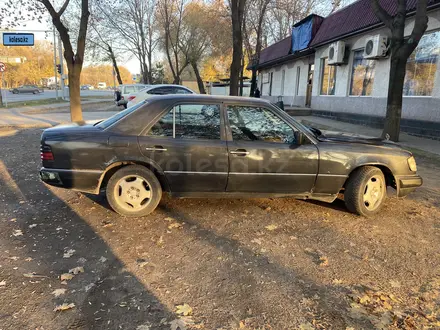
[[147, 128]]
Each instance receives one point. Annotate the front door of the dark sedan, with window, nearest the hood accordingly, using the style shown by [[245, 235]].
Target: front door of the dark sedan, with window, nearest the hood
[[264, 156]]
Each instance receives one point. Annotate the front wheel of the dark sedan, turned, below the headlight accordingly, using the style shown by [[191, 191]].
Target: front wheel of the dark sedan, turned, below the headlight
[[365, 191]]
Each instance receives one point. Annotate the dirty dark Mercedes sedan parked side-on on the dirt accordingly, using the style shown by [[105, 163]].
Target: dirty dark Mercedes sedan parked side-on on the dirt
[[206, 146]]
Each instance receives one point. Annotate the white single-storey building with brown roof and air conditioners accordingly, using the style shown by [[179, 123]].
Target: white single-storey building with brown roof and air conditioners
[[341, 68]]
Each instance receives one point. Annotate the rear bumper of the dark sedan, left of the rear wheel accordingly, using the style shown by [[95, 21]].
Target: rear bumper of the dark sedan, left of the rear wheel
[[82, 180]]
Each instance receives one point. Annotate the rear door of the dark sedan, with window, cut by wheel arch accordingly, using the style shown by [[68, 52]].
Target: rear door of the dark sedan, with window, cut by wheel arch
[[188, 144]]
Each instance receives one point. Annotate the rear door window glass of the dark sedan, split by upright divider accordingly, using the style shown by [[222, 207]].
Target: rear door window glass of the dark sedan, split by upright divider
[[192, 121]]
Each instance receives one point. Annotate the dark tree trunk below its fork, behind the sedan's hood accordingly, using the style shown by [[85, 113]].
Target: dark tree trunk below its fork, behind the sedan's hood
[[395, 97]]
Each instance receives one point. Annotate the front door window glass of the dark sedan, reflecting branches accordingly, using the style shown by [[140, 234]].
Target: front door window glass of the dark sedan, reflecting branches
[[258, 124]]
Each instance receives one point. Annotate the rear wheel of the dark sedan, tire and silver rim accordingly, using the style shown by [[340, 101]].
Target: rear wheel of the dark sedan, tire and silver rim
[[134, 191]]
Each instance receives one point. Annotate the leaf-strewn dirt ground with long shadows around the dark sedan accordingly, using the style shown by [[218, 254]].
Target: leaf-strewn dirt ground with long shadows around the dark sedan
[[225, 263]]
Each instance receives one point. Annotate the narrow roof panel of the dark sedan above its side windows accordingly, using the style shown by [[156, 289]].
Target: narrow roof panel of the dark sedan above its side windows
[[209, 98]]
